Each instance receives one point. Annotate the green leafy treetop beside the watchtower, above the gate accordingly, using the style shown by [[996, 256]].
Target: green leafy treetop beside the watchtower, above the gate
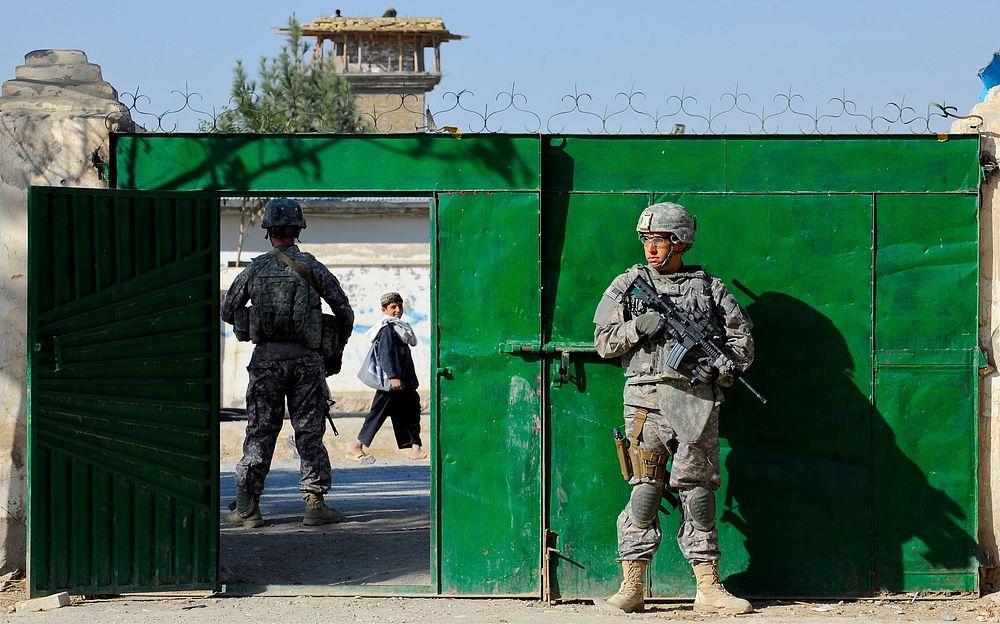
[[294, 94]]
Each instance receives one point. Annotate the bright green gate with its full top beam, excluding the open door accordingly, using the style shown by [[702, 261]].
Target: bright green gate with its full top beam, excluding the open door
[[857, 258]]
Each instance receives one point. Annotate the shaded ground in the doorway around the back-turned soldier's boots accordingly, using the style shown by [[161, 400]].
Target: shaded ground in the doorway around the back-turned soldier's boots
[[385, 540]]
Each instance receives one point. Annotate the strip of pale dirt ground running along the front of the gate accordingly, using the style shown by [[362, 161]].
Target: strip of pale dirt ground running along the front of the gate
[[290, 610]]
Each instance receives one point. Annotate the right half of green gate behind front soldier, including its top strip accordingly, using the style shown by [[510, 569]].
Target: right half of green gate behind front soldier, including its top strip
[[857, 260]]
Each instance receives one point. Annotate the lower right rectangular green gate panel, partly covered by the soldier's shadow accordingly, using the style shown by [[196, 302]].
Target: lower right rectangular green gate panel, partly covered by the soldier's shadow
[[924, 432]]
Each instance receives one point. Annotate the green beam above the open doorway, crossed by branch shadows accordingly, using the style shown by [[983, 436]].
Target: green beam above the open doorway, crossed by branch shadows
[[326, 162]]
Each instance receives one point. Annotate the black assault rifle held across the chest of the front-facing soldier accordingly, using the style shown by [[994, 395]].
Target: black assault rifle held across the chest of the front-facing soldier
[[689, 330]]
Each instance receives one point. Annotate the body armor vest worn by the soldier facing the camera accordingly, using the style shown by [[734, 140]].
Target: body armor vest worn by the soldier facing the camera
[[689, 289]]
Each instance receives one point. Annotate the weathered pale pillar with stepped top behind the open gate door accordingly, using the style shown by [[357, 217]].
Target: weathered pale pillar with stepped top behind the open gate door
[[55, 119]]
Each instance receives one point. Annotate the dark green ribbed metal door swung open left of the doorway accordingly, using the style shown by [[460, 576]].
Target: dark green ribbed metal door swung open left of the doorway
[[123, 391]]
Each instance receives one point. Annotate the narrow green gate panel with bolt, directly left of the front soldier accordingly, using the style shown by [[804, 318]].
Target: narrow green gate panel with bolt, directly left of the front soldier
[[587, 240]]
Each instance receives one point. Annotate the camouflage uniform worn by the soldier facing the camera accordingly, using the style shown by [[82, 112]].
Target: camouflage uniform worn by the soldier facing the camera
[[680, 419]]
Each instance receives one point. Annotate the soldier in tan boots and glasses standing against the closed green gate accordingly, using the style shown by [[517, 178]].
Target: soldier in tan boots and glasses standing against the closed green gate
[[665, 414]]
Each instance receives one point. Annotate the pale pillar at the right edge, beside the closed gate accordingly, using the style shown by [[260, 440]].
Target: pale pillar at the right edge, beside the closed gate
[[989, 334]]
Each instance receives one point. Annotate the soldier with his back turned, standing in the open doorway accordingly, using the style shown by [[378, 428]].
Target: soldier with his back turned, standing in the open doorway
[[285, 324]]
